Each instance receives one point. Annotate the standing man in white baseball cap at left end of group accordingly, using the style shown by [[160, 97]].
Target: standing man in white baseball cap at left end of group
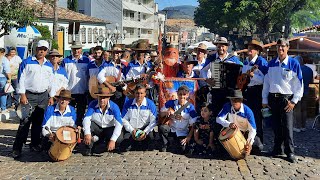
[[34, 80]]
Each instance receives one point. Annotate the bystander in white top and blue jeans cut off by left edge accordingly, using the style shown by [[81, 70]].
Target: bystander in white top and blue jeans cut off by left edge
[[5, 77]]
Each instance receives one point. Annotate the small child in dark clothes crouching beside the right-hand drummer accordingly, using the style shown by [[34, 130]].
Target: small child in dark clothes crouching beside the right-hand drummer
[[203, 131]]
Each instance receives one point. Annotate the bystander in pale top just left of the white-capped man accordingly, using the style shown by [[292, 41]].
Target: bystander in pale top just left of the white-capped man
[[14, 61]]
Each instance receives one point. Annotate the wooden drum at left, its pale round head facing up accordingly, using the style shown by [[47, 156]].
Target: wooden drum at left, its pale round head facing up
[[64, 143]]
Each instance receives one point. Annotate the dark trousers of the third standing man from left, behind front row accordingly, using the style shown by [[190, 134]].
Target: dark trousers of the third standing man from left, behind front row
[[80, 103]]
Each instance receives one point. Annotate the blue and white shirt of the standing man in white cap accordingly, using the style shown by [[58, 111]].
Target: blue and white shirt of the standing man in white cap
[[34, 77]]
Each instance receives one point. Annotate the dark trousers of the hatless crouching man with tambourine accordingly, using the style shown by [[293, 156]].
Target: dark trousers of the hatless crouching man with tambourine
[[136, 145]]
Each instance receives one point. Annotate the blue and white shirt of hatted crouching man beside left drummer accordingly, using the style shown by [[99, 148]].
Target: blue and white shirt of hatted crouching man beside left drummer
[[110, 118]]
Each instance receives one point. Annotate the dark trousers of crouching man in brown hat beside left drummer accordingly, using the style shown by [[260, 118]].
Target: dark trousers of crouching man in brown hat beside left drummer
[[104, 134]]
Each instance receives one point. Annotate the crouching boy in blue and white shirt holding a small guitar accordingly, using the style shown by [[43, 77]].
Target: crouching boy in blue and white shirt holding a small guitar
[[180, 125]]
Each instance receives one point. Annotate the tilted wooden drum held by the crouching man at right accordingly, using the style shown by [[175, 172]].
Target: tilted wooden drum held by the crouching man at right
[[233, 141]]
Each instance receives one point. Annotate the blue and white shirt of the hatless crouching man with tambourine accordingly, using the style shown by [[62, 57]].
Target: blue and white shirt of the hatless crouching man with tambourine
[[136, 117]]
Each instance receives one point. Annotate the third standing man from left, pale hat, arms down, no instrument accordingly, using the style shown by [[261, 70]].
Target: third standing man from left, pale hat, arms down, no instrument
[[76, 66]]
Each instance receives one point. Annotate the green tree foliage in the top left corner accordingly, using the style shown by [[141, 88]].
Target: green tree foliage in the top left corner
[[15, 14]]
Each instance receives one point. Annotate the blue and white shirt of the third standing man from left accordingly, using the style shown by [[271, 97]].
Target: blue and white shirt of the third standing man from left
[[77, 71]]
